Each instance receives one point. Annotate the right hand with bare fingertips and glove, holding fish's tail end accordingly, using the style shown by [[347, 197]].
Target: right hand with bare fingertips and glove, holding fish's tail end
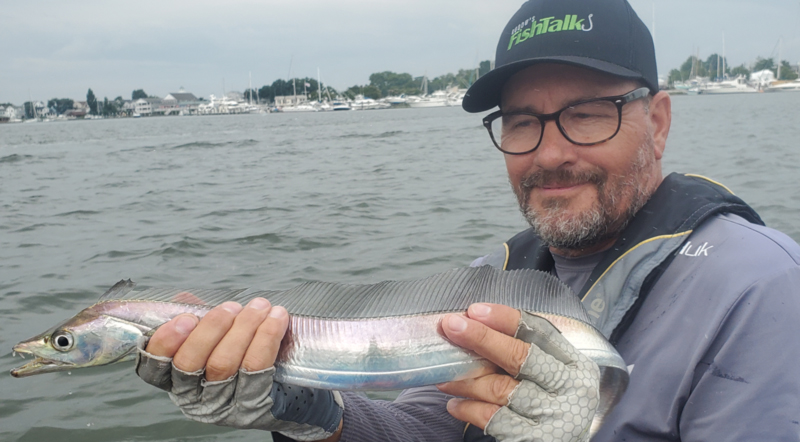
[[549, 391]]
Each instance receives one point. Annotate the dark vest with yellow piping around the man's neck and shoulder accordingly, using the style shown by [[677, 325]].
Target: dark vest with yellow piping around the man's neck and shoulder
[[625, 275]]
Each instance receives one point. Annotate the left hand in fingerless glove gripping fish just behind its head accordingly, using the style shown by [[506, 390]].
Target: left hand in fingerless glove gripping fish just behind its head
[[220, 370]]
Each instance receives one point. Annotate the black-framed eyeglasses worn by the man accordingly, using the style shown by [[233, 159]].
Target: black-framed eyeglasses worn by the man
[[585, 123]]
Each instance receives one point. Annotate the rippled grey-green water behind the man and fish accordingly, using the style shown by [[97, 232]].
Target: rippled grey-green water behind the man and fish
[[271, 201]]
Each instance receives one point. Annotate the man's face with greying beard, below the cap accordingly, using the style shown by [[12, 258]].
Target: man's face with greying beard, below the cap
[[579, 198]]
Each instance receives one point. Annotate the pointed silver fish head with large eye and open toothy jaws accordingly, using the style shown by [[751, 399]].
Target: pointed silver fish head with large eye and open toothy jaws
[[88, 339]]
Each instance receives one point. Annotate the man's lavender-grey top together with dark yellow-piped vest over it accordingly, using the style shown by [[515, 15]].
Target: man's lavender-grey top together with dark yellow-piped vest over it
[[699, 298]]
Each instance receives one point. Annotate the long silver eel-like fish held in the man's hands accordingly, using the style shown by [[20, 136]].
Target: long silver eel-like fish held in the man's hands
[[383, 336]]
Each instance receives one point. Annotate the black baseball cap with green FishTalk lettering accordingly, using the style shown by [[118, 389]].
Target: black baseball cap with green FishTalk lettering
[[604, 35]]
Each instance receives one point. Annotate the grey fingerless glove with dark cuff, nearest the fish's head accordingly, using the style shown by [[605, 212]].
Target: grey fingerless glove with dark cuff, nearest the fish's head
[[246, 400]]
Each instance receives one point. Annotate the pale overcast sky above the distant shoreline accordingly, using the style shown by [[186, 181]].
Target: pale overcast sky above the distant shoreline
[[62, 48]]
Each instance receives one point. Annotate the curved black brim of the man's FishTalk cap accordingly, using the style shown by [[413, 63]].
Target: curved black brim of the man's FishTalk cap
[[484, 94]]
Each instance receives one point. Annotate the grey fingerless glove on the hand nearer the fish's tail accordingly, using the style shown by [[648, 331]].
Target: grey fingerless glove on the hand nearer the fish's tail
[[558, 393]]
